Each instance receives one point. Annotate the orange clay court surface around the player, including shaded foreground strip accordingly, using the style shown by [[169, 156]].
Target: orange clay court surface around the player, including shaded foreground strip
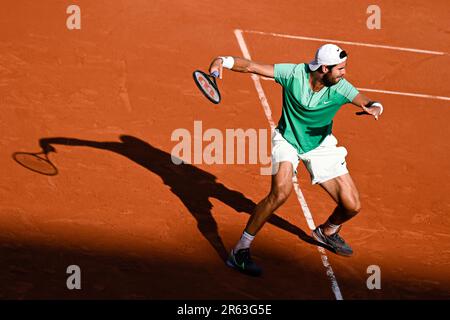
[[108, 98]]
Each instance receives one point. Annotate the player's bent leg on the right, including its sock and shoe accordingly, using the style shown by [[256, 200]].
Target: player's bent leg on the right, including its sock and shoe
[[343, 190]]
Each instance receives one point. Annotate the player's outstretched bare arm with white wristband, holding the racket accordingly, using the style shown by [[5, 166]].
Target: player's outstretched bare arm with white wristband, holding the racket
[[241, 65]]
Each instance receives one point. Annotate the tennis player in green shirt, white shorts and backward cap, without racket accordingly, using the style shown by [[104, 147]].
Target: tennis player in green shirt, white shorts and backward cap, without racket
[[312, 94]]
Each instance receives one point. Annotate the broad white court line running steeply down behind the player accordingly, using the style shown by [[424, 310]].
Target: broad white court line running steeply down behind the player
[[301, 199]]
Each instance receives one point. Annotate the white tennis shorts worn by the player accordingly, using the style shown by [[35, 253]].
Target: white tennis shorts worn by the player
[[323, 163]]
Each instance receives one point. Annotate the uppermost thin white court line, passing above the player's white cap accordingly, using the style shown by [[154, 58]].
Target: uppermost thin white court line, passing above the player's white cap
[[346, 42]]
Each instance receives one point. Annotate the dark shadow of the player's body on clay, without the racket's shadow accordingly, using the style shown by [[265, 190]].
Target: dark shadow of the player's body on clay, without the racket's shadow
[[192, 185]]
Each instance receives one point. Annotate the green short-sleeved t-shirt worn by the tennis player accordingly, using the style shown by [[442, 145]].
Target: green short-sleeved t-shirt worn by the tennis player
[[307, 116]]
